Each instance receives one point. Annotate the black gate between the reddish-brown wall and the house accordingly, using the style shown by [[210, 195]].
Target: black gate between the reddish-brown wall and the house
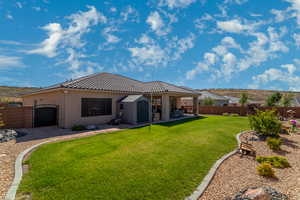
[[45, 115]]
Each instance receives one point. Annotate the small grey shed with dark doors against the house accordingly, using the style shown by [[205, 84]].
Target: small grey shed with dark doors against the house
[[135, 109]]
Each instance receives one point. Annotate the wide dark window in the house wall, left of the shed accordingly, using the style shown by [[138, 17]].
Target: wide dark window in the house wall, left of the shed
[[95, 106]]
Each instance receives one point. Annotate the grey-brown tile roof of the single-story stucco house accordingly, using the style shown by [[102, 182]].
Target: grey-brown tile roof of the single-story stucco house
[[119, 83]]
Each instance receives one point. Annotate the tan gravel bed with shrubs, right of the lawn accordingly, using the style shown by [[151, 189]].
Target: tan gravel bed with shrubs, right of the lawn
[[238, 173]]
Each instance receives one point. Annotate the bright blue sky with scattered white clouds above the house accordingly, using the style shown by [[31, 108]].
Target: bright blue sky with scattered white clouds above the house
[[196, 43]]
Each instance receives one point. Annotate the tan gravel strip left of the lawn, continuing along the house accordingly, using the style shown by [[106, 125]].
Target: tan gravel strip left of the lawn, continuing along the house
[[11, 149]]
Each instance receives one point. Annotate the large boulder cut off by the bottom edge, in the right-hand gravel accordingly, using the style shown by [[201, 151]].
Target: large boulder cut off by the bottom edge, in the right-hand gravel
[[259, 193]]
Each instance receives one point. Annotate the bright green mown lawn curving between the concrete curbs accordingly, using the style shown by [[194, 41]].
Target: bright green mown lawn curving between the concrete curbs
[[167, 163]]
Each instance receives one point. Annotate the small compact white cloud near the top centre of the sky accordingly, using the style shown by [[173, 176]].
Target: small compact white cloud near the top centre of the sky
[[156, 23]]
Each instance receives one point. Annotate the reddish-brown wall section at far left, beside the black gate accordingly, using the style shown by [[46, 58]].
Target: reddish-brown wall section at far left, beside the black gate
[[16, 117]]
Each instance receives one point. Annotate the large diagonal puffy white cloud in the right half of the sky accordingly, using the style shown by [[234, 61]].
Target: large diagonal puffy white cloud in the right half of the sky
[[223, 61]]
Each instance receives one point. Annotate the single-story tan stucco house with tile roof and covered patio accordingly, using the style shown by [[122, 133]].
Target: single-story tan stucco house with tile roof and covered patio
[[99, 98]]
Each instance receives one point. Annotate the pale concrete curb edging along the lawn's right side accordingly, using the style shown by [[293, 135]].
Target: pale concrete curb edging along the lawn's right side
[[208, 178]]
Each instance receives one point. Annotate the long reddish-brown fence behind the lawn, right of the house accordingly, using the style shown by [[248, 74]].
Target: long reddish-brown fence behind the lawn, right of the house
[[219, 110]]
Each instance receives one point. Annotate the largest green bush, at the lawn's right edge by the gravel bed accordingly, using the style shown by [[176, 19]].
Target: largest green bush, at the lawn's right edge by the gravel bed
[[265, 123]]
